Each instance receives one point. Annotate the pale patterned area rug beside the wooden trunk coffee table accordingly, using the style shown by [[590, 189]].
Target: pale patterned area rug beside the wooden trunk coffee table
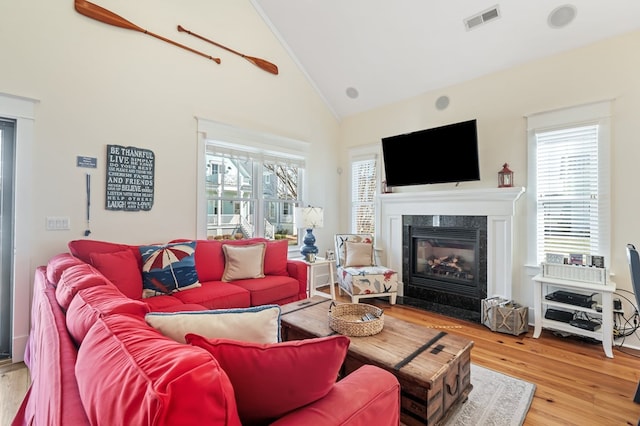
[[496, 399]]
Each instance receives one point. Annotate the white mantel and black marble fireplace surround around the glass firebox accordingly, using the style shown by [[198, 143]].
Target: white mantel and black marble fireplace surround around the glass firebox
[[495, 208]]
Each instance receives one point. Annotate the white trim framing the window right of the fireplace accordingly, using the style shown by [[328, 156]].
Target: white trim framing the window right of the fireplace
[[592, 113]]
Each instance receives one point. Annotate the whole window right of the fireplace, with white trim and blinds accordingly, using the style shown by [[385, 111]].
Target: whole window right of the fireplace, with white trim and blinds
[[571, 178]]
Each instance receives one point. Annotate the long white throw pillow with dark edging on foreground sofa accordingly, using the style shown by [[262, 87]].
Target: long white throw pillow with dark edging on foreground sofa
[[259, 324]]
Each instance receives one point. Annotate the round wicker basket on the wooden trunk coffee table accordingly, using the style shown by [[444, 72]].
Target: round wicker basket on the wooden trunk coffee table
[[347, 319]]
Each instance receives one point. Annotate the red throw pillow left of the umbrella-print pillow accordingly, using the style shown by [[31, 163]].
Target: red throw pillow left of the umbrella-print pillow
[[121, 268]]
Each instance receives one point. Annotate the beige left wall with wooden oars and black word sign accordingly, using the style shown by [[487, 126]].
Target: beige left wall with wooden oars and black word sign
[[97, 84]]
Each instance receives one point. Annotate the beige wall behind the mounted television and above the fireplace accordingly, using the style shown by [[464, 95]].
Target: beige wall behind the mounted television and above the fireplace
[[500, 101]]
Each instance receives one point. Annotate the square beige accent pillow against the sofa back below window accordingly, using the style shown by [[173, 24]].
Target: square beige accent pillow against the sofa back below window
[[243, 262]]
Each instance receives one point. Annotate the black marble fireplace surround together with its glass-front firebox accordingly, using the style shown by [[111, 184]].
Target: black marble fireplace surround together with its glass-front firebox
[[457, 288]]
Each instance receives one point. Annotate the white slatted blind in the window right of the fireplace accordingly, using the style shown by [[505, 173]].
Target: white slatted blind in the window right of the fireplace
[[568, 191]]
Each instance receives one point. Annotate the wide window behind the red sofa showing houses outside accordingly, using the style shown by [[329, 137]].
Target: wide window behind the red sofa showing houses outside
[[250, 188]]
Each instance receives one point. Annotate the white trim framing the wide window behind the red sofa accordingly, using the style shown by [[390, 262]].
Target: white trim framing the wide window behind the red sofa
[[228, 136]]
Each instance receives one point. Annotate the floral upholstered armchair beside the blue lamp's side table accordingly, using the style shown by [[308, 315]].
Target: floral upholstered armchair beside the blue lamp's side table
[[358, 274]]
